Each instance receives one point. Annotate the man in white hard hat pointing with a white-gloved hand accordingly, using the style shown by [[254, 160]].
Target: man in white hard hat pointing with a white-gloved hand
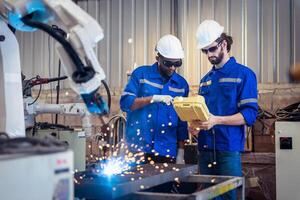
[[153, 126]]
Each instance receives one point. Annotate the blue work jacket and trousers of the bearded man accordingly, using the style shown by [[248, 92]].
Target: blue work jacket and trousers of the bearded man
[[228, 90]]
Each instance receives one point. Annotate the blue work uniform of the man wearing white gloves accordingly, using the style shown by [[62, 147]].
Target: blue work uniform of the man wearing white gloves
[[154, 128]]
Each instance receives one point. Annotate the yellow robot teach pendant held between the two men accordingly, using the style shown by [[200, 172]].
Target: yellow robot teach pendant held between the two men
[[191, 108]]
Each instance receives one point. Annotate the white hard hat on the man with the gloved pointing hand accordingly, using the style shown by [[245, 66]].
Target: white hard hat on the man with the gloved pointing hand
[[170, 46]]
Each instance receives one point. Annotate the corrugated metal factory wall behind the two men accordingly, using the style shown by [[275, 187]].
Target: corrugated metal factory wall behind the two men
[[264, 32]]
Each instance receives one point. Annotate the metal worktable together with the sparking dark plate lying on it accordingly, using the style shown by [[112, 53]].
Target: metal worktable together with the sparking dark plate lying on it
[[138, 183]]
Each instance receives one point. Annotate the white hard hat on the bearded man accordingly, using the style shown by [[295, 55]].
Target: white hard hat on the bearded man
[[208, 31]]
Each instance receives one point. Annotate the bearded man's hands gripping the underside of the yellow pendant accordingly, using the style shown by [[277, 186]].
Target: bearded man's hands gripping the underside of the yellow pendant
[[197, 125]]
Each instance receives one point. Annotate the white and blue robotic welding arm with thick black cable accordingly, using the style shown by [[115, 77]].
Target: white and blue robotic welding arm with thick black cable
[[76, 51]]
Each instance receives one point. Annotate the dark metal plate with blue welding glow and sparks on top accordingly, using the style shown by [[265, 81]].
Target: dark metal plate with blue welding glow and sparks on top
[[95, 186]]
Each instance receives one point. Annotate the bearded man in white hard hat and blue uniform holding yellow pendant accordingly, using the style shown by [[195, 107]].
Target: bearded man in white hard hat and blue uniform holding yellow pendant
[[230, 92]]
